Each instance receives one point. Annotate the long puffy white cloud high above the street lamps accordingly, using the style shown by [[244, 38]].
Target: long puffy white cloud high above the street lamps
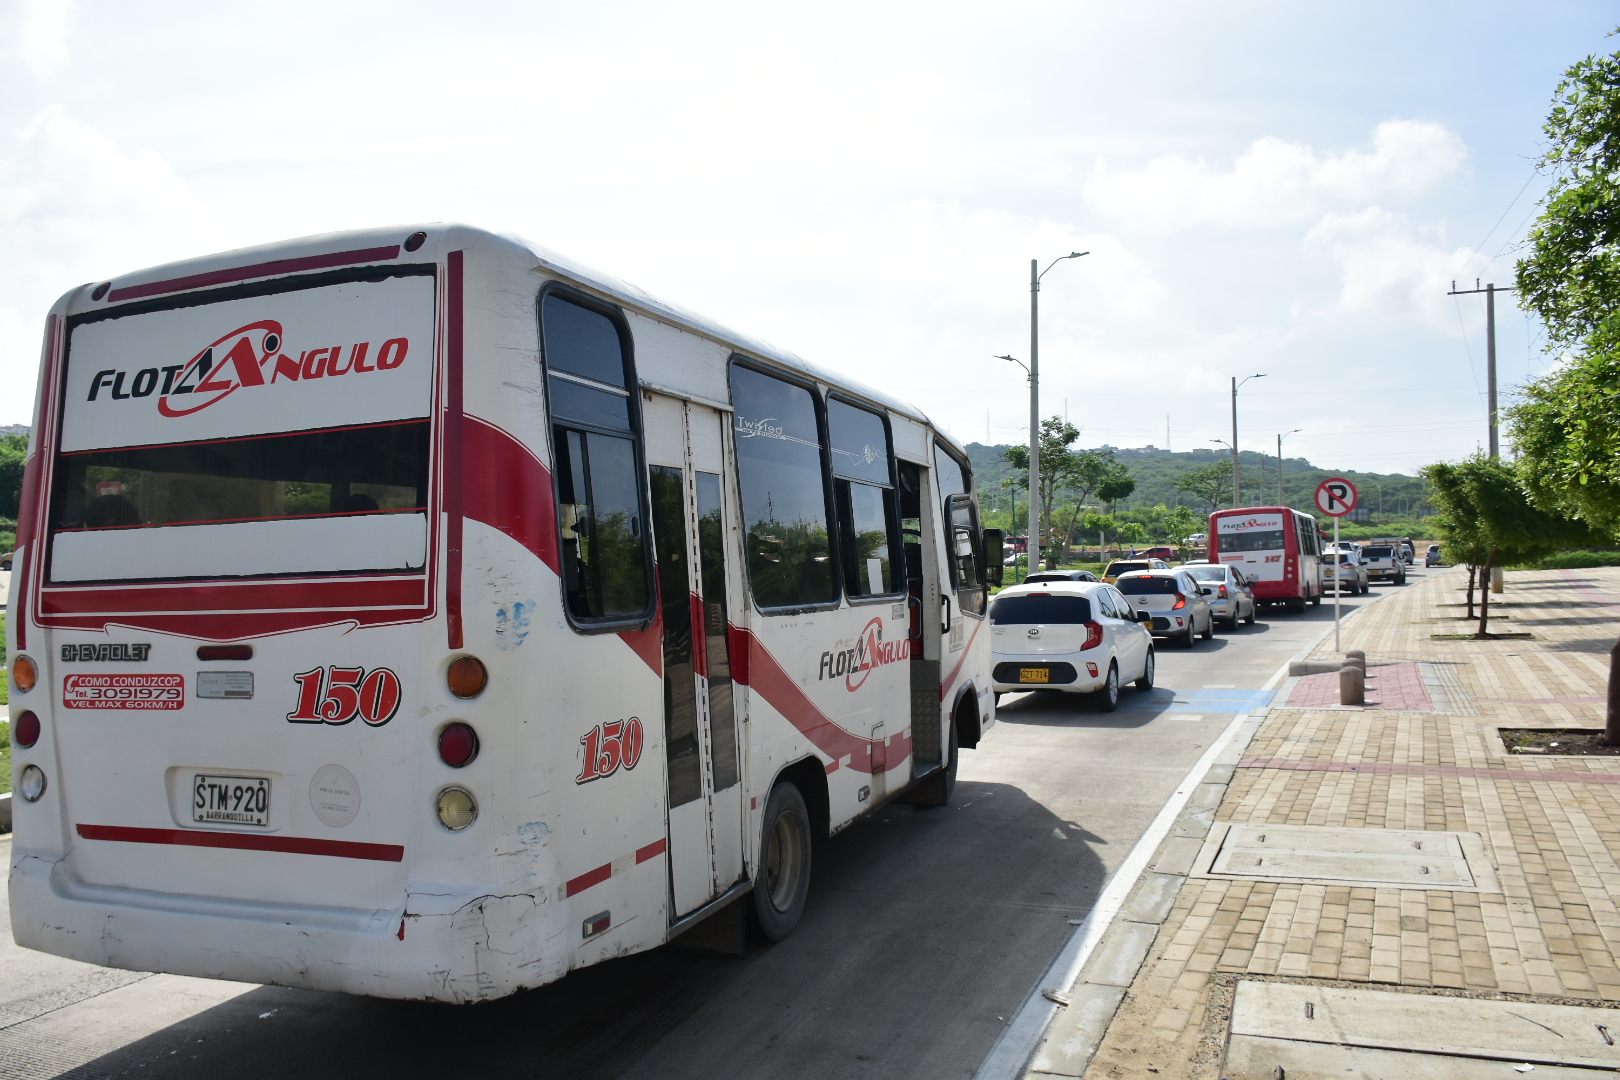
[[1281, 184]]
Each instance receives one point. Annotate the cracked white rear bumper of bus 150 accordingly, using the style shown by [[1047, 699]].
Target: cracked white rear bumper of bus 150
[[479, 951]]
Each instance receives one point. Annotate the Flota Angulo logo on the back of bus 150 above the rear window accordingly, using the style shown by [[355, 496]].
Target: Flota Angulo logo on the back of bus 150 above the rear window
[[249, 357]]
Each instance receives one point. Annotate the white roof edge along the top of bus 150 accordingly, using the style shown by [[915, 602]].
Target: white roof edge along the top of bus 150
[[375, 245]]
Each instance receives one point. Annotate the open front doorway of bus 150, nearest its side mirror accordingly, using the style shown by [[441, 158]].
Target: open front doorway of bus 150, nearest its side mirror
[[924, 624]]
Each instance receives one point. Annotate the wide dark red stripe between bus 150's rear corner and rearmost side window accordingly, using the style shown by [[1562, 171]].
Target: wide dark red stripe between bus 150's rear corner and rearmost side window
[[509, 490]]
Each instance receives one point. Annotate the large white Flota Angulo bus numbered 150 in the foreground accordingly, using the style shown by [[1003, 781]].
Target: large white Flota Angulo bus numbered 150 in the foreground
[[419, 614]]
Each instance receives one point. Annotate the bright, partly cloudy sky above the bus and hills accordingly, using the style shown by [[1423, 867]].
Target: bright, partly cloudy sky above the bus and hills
[[1264, 189]]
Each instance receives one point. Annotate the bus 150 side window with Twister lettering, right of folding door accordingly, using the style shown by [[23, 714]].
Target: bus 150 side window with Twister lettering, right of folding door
[[785, 491]]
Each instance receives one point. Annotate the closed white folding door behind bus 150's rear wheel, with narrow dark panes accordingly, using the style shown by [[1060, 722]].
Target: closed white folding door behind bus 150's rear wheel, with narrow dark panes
[[691, 522]]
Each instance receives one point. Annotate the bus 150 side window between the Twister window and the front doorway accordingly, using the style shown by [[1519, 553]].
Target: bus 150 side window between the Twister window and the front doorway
[[864, 490]]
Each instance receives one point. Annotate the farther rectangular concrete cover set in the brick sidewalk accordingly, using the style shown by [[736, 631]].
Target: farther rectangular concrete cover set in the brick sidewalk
[[1379, 859]]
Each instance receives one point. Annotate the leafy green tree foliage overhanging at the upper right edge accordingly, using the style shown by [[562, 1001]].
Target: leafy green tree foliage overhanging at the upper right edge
[[1564, 428]]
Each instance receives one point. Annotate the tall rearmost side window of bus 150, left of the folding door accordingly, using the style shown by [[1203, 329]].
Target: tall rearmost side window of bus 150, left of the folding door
[[605, 559]]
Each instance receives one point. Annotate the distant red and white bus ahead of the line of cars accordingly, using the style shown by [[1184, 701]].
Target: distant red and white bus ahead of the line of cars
[[1277, 548]]
